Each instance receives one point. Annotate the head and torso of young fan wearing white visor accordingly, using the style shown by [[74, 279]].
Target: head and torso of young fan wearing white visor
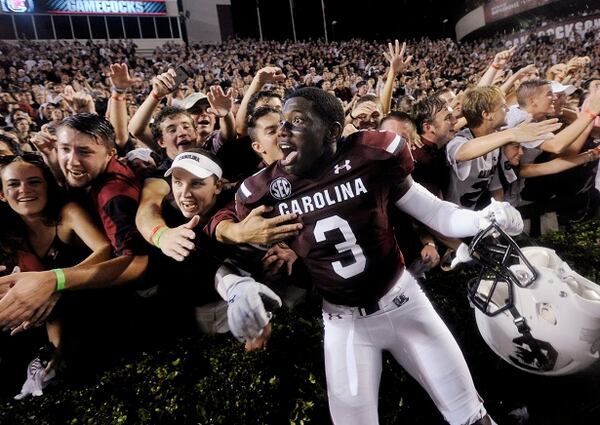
[[187, 288]]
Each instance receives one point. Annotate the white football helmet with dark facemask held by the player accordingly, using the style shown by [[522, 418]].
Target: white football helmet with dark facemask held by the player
[[531, 308]]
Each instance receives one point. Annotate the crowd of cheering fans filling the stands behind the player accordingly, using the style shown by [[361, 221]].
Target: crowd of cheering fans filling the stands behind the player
[[90, 129]]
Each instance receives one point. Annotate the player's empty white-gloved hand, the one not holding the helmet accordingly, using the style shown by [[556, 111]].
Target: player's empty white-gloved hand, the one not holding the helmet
[[246, 312]]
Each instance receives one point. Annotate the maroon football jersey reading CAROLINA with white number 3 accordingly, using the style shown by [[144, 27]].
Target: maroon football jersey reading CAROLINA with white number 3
[[347, 242]]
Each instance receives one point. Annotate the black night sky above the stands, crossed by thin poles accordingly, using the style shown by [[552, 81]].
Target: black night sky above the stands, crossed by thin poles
[[365, 19]]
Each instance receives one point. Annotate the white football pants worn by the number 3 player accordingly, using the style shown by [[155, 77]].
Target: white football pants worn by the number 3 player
[[419, 341]]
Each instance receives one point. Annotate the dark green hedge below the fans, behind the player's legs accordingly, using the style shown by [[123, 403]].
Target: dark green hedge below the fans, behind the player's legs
[[211, 380]]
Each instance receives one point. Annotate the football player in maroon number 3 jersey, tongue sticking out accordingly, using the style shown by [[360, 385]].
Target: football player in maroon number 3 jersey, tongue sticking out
[[340, 189]]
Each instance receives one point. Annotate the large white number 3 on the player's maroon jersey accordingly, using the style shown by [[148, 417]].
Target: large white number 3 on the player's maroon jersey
[[349, 244]]
